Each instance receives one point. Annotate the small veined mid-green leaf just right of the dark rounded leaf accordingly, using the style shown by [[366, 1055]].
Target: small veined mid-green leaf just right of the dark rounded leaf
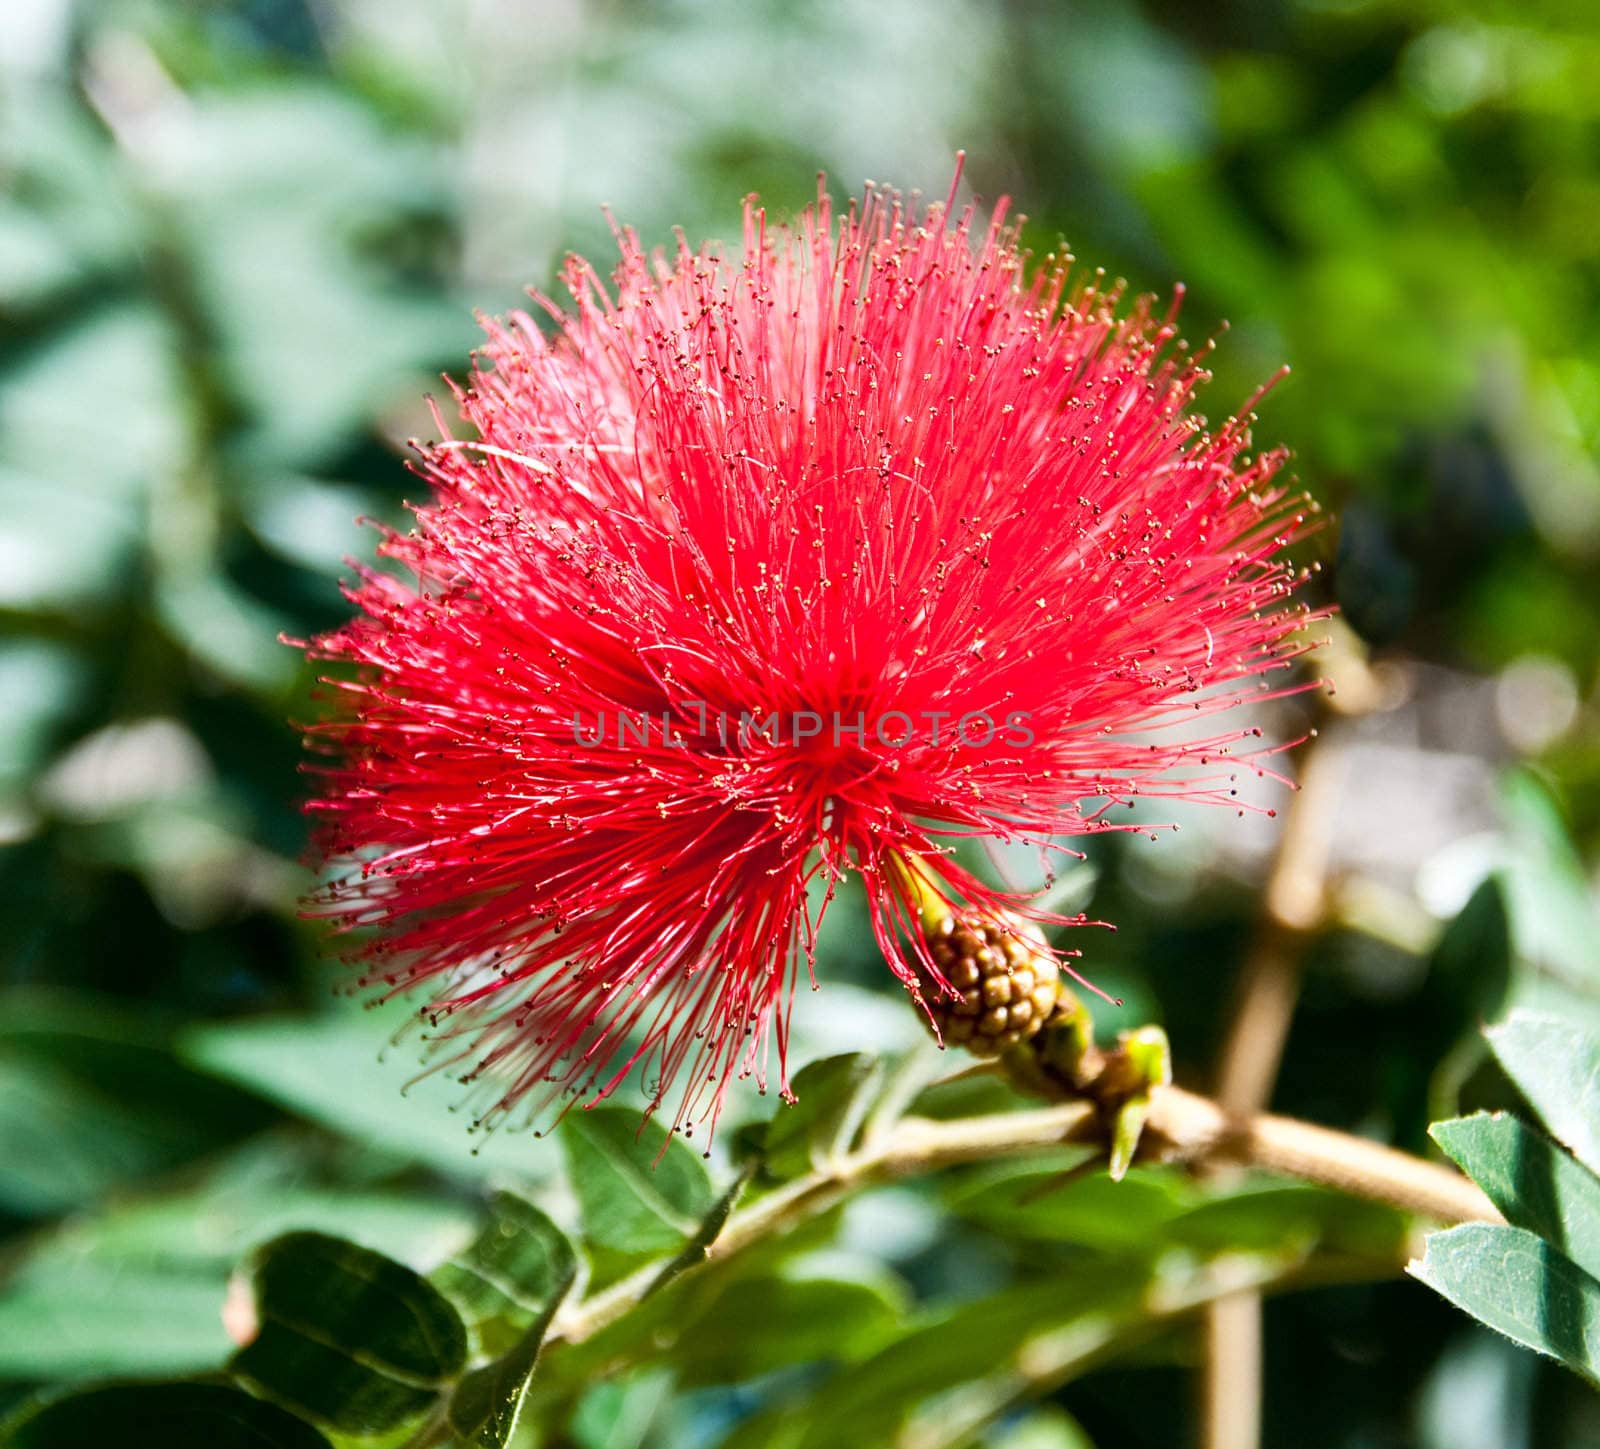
[[510, 1274]]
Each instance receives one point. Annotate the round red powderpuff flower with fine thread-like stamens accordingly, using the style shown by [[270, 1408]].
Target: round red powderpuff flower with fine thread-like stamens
[[761, 572]]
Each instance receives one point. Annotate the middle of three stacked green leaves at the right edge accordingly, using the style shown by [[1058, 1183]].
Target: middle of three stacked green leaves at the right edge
[[1530, 1180]]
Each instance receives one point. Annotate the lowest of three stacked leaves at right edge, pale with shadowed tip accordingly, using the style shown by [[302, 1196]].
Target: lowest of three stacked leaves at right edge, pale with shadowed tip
[[1521, 1287]]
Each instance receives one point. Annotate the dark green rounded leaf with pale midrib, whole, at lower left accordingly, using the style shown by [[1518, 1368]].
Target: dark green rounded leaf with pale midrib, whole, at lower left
[[348, 1338]]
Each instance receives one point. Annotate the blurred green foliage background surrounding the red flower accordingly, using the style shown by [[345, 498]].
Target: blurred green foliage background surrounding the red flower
[[239, 242]]
